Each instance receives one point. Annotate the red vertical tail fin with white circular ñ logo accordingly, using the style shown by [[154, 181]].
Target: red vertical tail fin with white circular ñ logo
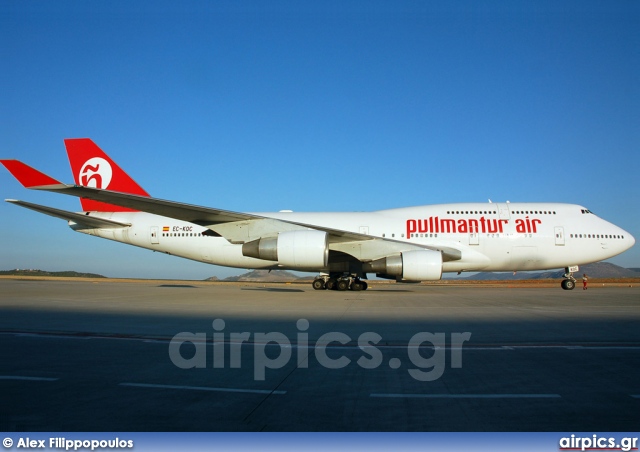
[[91, 167]]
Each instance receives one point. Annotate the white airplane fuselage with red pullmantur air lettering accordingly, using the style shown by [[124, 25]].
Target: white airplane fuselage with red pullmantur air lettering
[[491, 237]]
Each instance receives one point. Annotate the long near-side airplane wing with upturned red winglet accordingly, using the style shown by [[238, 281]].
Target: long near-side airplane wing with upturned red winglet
[[236, 227]]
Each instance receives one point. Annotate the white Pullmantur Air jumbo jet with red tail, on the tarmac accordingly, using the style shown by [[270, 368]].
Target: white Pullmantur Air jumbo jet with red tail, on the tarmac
[[406, 244]]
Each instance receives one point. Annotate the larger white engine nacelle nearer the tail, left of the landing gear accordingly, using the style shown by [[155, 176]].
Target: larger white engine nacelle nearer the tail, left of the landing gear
[[292, 249]]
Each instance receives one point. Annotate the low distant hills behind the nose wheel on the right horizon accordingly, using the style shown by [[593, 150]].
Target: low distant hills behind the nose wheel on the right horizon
[[597, 270]]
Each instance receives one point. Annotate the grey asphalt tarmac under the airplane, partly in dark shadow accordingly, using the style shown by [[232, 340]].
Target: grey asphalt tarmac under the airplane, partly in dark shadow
[[154, 356]]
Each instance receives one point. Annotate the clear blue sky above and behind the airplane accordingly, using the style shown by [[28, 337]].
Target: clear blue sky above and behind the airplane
[[361, 105]]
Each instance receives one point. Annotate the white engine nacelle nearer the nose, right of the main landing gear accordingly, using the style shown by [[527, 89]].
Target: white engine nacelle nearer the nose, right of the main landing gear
[[418, 265]]
